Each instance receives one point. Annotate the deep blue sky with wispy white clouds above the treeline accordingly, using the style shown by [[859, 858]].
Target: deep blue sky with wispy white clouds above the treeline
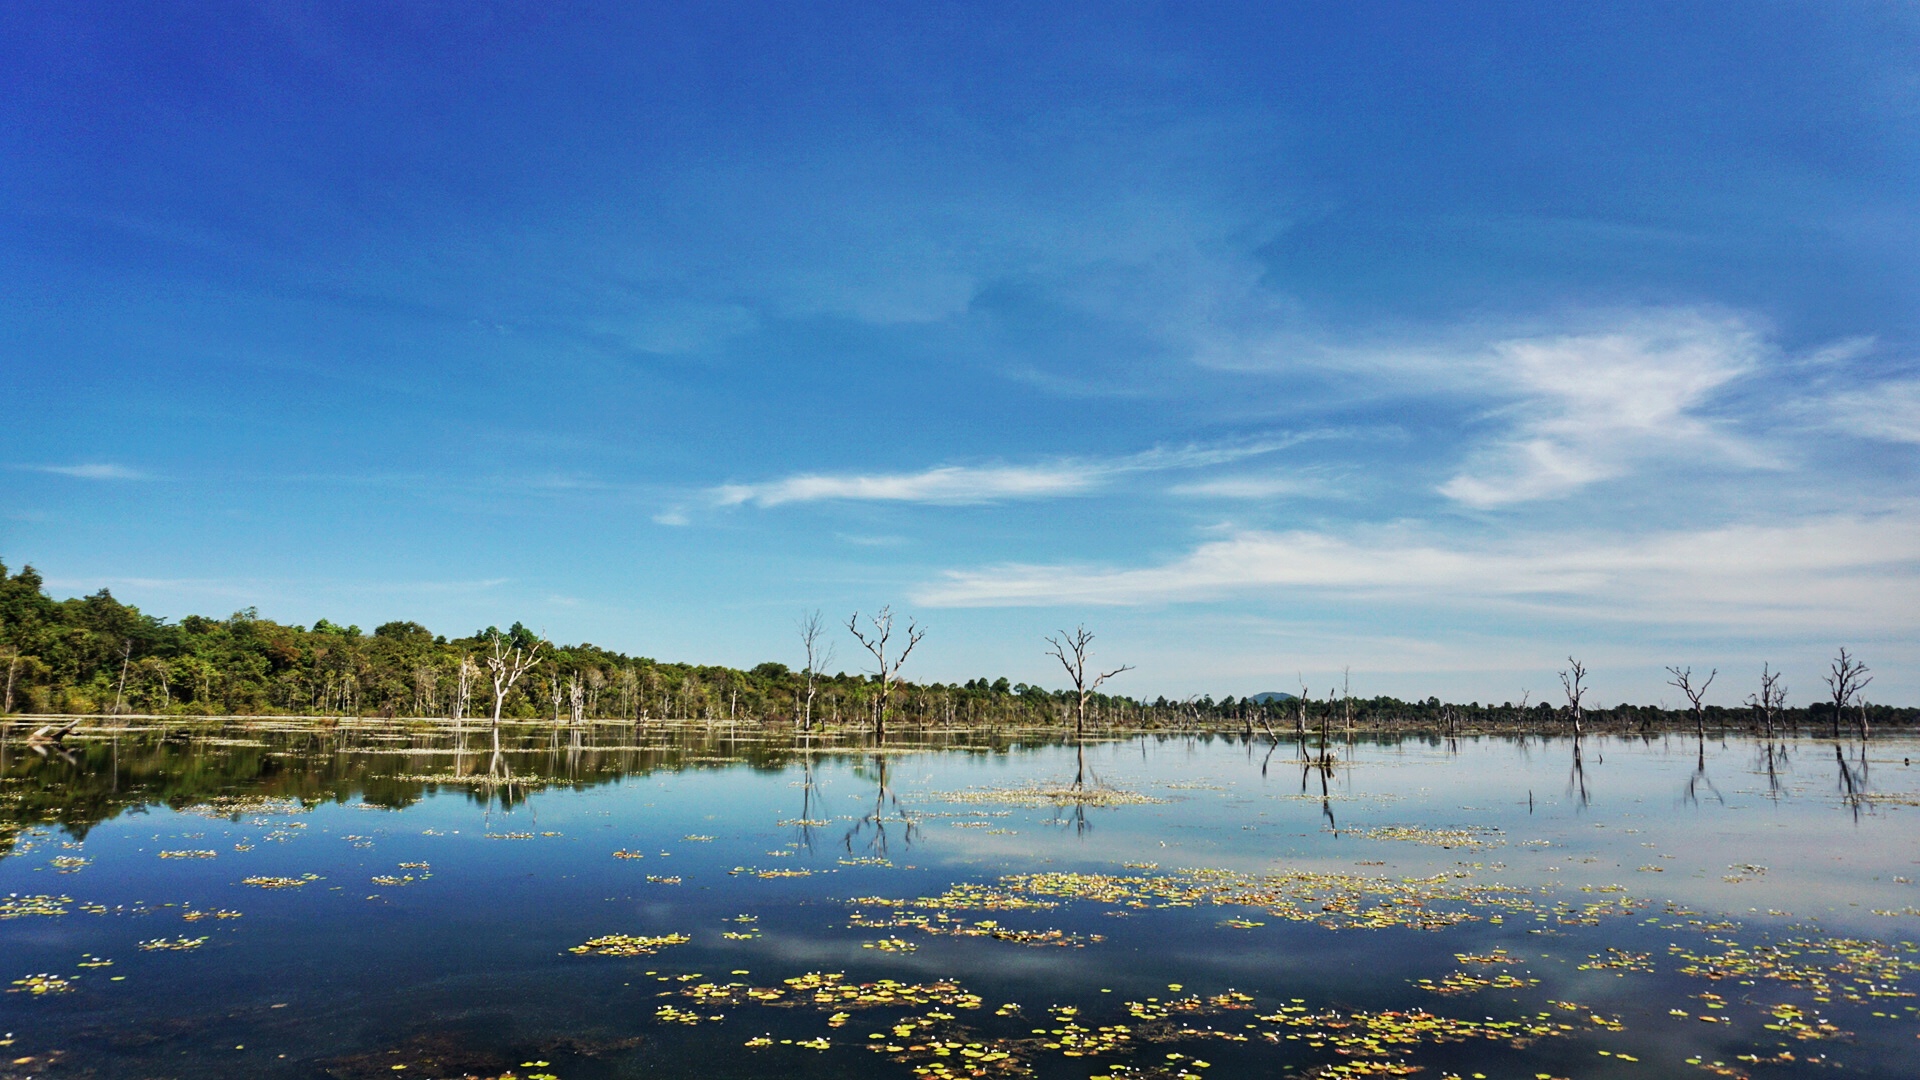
[[1428, 345]]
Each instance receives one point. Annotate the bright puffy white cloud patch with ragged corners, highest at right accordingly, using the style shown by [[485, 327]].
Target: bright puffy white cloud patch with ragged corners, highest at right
[[1593, 406]]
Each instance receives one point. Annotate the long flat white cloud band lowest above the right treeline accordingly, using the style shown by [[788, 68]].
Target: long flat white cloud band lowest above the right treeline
[[1846, 572]]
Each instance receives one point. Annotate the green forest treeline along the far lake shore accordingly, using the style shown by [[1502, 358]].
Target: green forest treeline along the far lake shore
[[97, 656]]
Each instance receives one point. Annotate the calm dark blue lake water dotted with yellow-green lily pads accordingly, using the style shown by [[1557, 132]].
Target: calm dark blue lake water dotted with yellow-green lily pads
[[289, 904]]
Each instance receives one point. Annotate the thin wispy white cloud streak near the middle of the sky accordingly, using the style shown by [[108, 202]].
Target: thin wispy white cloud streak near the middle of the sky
[[963, 485]]
